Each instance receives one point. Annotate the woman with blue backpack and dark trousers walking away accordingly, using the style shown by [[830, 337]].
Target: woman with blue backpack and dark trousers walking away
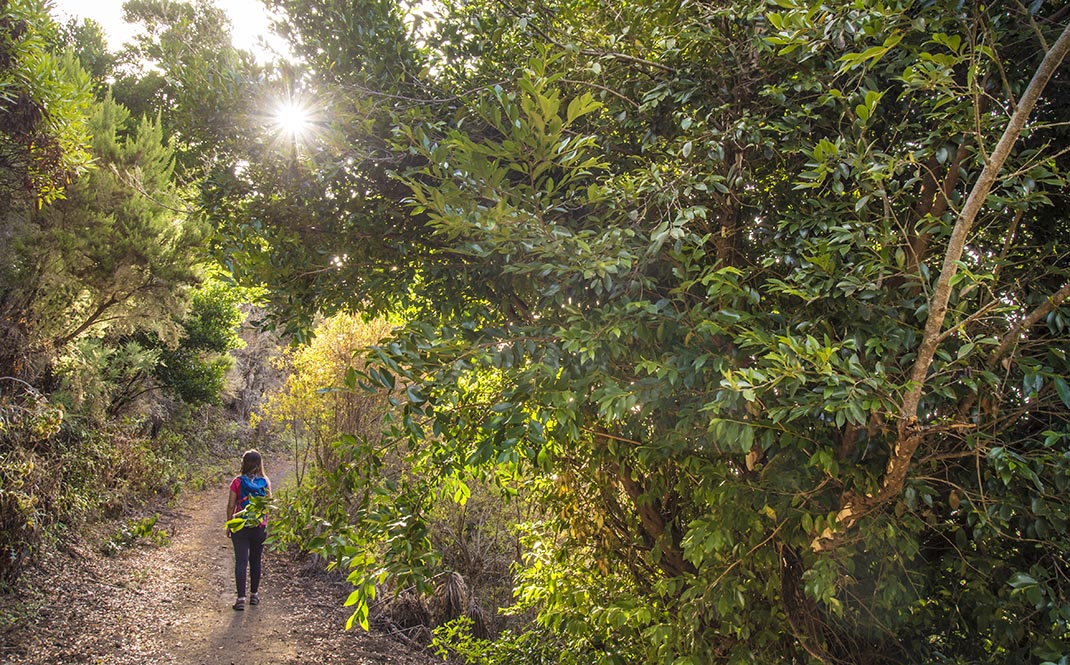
[[249, 541]]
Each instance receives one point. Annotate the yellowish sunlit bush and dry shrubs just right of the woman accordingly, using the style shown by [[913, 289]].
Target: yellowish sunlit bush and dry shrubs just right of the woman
[[347, 476]]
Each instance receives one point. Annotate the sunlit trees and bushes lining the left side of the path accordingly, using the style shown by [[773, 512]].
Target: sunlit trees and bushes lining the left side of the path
[[108, 327]]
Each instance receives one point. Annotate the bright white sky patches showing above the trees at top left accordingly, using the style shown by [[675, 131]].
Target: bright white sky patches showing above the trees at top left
[[249, 22]]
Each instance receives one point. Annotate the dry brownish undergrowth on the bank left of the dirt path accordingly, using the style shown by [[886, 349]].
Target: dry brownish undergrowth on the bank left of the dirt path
[[59, 473]]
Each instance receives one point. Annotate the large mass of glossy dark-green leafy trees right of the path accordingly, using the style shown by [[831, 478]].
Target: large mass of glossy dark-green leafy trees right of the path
[[711, 274]]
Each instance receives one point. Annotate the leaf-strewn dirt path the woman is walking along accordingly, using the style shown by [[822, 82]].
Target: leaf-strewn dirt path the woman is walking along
[[173, 604]]
